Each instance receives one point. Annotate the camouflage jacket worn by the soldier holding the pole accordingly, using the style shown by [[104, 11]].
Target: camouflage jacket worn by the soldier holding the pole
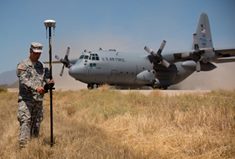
[[30, 77]]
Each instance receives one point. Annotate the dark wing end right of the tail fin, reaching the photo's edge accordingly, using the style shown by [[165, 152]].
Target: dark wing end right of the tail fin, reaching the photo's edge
[[224, 55]]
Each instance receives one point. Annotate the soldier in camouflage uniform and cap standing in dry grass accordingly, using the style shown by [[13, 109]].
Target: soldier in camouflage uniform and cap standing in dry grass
[[32, 79]]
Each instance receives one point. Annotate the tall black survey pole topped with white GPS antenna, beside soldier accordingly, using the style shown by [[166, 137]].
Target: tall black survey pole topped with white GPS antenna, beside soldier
[[49, 24]]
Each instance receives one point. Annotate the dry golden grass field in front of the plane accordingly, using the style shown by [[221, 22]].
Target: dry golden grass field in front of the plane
[[108, 124]]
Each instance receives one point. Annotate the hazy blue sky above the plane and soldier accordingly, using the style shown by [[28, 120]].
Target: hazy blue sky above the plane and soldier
[[126, 25]]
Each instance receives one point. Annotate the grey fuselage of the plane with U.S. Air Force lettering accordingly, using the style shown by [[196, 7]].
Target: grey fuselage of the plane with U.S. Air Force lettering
[[122, 69]]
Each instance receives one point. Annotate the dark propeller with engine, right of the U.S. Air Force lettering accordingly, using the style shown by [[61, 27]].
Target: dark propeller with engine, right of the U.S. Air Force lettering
[[156, 57]]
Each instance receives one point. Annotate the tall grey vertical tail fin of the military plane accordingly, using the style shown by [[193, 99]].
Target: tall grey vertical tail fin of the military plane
[[202, 38]]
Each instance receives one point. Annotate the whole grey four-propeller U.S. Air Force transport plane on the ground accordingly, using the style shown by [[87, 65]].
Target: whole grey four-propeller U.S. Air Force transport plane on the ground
[[148, 69]]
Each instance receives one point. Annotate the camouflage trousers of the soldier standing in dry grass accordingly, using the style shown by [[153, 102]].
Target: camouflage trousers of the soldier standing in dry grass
[[30, 115]]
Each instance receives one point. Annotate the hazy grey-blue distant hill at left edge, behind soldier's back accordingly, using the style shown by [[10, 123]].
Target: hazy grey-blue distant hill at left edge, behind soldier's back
[[8, 77]]
